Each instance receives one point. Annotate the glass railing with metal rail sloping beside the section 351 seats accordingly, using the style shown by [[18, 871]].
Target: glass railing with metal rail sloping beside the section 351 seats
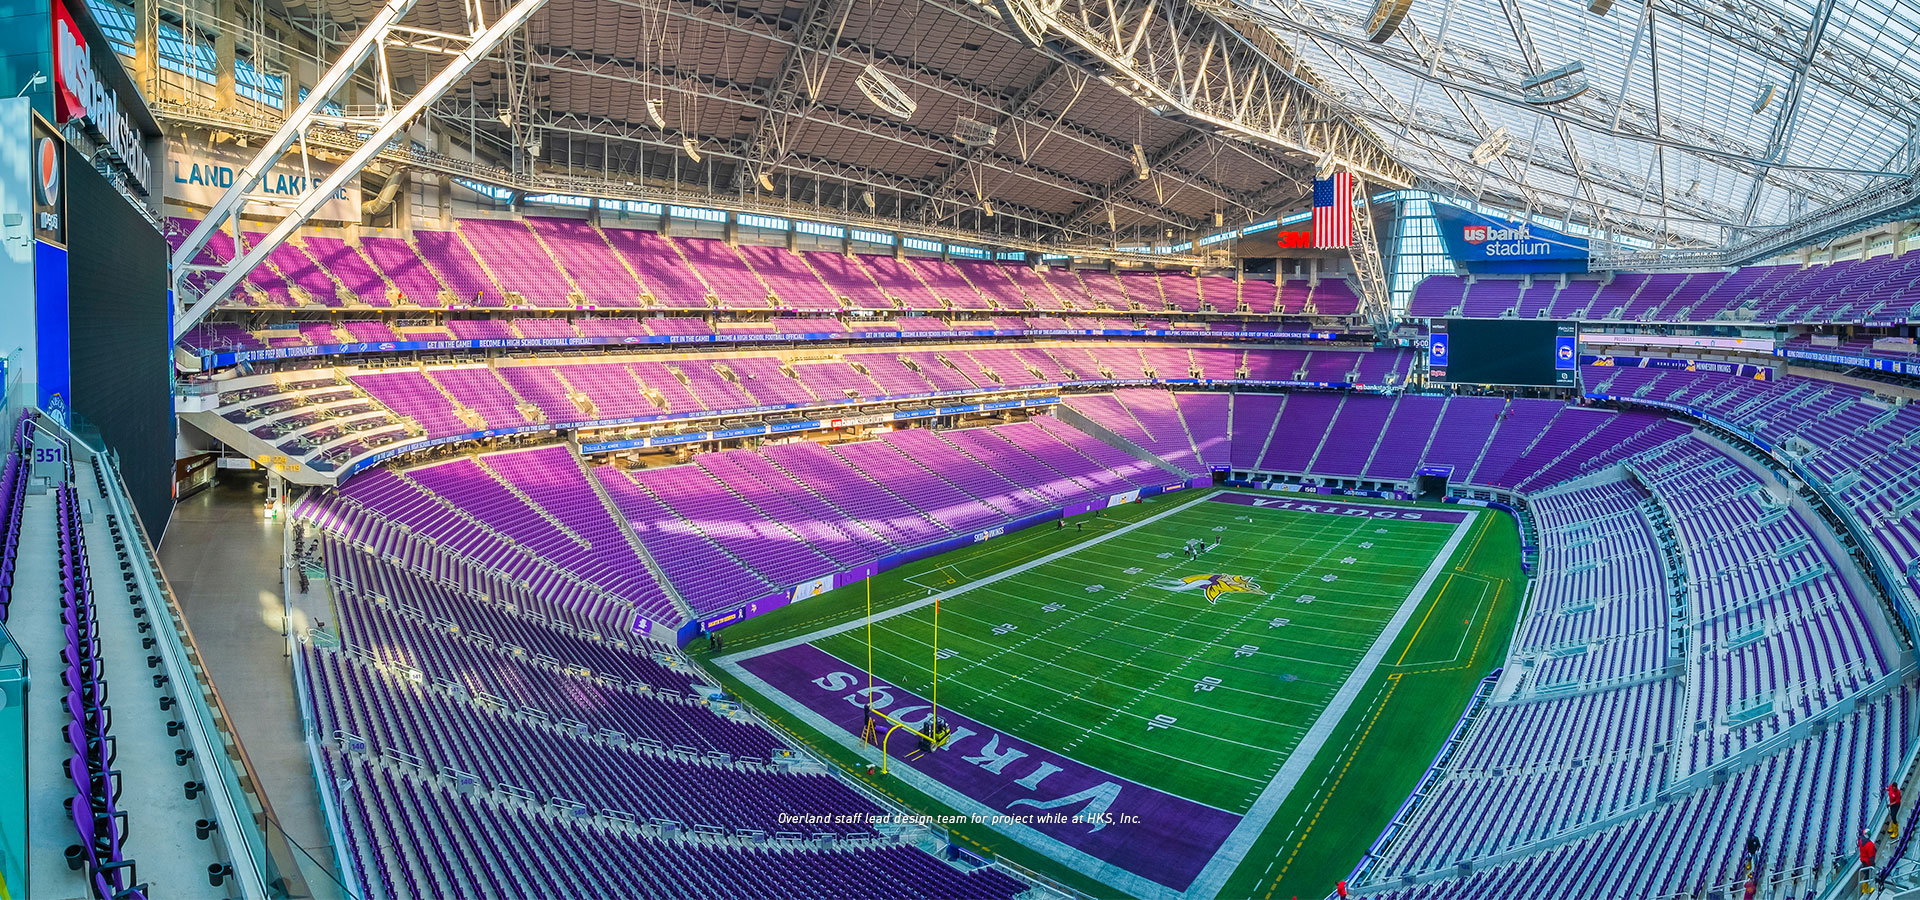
[[266, 861]]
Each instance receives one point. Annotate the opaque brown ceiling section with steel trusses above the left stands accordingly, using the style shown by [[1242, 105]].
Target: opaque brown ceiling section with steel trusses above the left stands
[[769, 91]]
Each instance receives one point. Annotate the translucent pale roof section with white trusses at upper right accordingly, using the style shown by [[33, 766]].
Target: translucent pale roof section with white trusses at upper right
[[1691, 124]]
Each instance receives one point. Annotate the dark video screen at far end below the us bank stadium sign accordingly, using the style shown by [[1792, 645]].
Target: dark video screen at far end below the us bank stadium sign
[[1504, 352]]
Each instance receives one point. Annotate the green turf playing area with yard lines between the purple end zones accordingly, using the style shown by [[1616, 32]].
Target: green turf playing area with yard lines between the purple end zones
[[1093, 655]]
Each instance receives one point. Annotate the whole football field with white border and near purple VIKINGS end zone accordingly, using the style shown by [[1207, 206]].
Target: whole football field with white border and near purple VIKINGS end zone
[[1172, 680]]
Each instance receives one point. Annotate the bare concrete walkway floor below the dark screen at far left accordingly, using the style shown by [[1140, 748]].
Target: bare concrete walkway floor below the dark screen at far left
[[224, 561]]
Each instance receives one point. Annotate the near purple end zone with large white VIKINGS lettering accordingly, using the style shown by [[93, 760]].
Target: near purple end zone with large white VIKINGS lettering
[[1149, 834]]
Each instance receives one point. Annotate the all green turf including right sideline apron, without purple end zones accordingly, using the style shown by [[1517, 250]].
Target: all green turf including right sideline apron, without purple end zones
[[1109, 655]]
